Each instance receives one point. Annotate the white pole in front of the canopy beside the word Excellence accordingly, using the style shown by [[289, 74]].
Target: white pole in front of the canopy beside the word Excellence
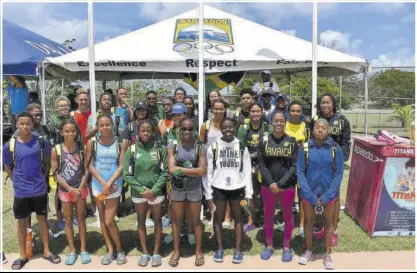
[[91, 67]]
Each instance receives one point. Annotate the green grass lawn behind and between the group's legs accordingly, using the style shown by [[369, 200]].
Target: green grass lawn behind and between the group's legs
[[351, 237]]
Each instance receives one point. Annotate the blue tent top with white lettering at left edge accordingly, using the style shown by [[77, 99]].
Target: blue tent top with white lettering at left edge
[[24, 50]]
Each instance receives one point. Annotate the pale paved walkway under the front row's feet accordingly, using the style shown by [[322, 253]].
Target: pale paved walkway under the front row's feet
[[402, 260]]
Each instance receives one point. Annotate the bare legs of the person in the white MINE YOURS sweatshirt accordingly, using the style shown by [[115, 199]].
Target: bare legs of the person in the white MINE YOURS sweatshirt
[[237, 214]]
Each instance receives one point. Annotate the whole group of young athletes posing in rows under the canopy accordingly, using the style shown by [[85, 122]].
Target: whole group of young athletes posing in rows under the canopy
[[239, 162]]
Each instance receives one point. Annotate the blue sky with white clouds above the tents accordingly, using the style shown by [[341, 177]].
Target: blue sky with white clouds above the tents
[[383, 33]]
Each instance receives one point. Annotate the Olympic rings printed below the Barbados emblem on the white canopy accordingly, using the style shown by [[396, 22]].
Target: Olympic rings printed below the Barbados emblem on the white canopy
[[209, 47]]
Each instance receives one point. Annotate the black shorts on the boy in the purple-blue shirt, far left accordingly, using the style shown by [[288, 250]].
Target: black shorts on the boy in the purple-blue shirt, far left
[[23, 207]]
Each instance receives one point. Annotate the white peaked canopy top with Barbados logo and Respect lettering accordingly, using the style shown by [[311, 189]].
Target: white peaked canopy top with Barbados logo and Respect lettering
[[167, 49]]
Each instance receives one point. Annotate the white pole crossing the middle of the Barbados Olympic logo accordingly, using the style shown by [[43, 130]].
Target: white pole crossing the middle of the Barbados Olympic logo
[[201, 80]]
